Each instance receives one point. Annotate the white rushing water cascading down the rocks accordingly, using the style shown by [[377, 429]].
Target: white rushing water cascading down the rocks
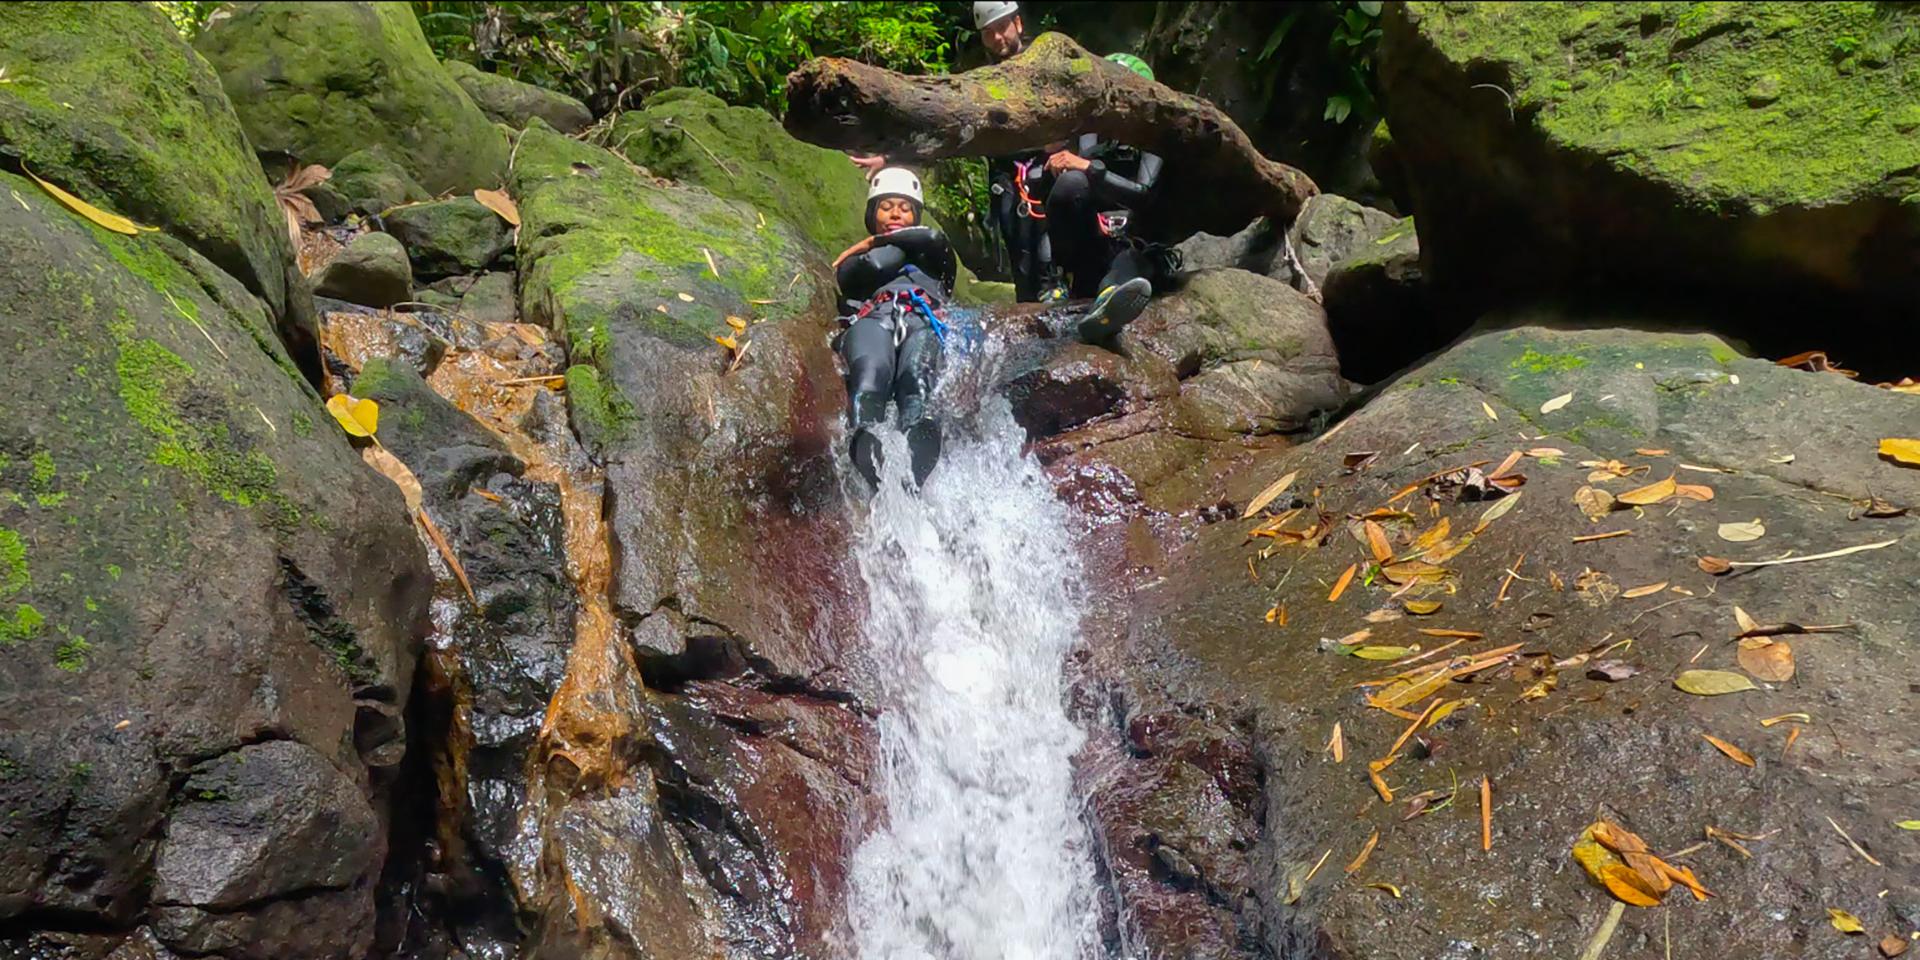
[[974, 602]]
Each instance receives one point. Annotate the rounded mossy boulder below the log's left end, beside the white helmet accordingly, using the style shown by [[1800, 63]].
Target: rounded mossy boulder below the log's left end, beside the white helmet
[[746, 155]]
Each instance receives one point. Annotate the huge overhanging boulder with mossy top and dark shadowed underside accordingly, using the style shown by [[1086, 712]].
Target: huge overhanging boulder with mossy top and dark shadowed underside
[[1756, 156]]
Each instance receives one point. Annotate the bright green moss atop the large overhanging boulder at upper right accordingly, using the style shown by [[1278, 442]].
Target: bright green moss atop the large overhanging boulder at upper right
[[1731, 103]]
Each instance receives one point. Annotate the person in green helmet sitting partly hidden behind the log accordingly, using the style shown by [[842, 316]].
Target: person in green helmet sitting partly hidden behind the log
[[1093, 224]]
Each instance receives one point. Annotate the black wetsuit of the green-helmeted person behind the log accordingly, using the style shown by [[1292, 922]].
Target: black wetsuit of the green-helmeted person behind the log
[[1120, 185]]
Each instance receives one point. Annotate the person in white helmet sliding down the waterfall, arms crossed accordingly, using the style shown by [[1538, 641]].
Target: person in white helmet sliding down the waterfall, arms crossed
[[894, 285]]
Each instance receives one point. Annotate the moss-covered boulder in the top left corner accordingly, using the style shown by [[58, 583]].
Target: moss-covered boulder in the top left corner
[[110, 105]]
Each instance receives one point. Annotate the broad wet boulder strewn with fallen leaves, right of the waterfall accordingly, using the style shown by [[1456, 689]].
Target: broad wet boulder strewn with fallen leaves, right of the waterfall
[[1199, 638]]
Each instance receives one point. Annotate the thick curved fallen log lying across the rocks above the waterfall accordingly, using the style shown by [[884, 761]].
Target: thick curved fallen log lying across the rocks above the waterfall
[[1216, 181]]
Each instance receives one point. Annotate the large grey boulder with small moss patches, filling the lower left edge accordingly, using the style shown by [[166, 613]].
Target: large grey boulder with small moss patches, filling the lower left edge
[[193, 560]]
